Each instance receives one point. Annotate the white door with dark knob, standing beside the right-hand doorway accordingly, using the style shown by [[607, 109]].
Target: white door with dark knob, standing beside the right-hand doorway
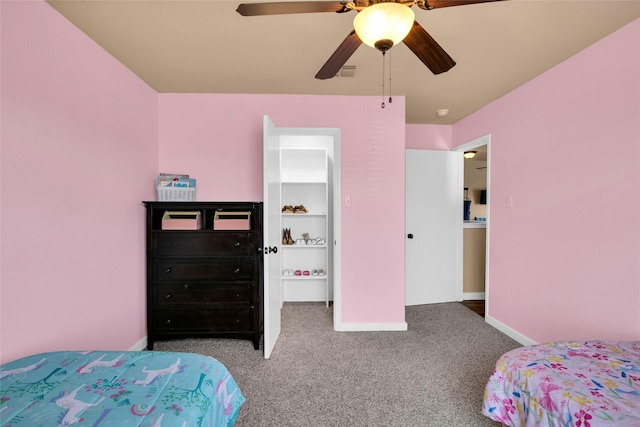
[[433, 226]]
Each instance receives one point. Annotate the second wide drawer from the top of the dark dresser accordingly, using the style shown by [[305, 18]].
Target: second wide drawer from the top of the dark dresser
[[188, 270]]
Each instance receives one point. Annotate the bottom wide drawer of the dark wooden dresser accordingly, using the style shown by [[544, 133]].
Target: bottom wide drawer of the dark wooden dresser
[[211, 320]]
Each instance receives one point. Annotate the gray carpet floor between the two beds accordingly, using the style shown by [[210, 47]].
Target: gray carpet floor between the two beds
[[431, 375]]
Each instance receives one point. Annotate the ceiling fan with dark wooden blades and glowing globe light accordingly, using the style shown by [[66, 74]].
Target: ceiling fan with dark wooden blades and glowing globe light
[[417, 39]]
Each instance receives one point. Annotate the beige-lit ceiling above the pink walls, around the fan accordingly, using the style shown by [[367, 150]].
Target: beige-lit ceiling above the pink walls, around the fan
[[180, 46]]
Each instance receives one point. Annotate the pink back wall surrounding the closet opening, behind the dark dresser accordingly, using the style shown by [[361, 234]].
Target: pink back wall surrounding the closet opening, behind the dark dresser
[[224, 135]]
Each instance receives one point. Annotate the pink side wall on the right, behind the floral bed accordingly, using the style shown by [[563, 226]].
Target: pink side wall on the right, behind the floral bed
[[565, 259]]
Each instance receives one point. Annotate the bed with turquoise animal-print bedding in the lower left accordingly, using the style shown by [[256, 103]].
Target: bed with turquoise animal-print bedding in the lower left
[[119, 389]]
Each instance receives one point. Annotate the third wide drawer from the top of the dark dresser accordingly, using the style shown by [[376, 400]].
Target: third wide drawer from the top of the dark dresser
[[219, 294]]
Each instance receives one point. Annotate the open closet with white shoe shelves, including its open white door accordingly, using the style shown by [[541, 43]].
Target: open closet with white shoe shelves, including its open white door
[[301, 220]]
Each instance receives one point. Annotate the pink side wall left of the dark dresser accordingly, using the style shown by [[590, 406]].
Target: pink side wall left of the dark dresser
[[79, 152]]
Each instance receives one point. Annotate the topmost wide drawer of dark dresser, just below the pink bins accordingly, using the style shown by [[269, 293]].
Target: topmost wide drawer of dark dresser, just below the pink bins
[[205, 244]]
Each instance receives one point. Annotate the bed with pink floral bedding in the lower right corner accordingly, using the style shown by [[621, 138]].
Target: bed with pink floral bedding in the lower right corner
[[570, 383]]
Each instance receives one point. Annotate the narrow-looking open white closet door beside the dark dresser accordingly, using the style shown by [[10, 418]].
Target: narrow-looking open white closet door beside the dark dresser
[[272, 237]]
